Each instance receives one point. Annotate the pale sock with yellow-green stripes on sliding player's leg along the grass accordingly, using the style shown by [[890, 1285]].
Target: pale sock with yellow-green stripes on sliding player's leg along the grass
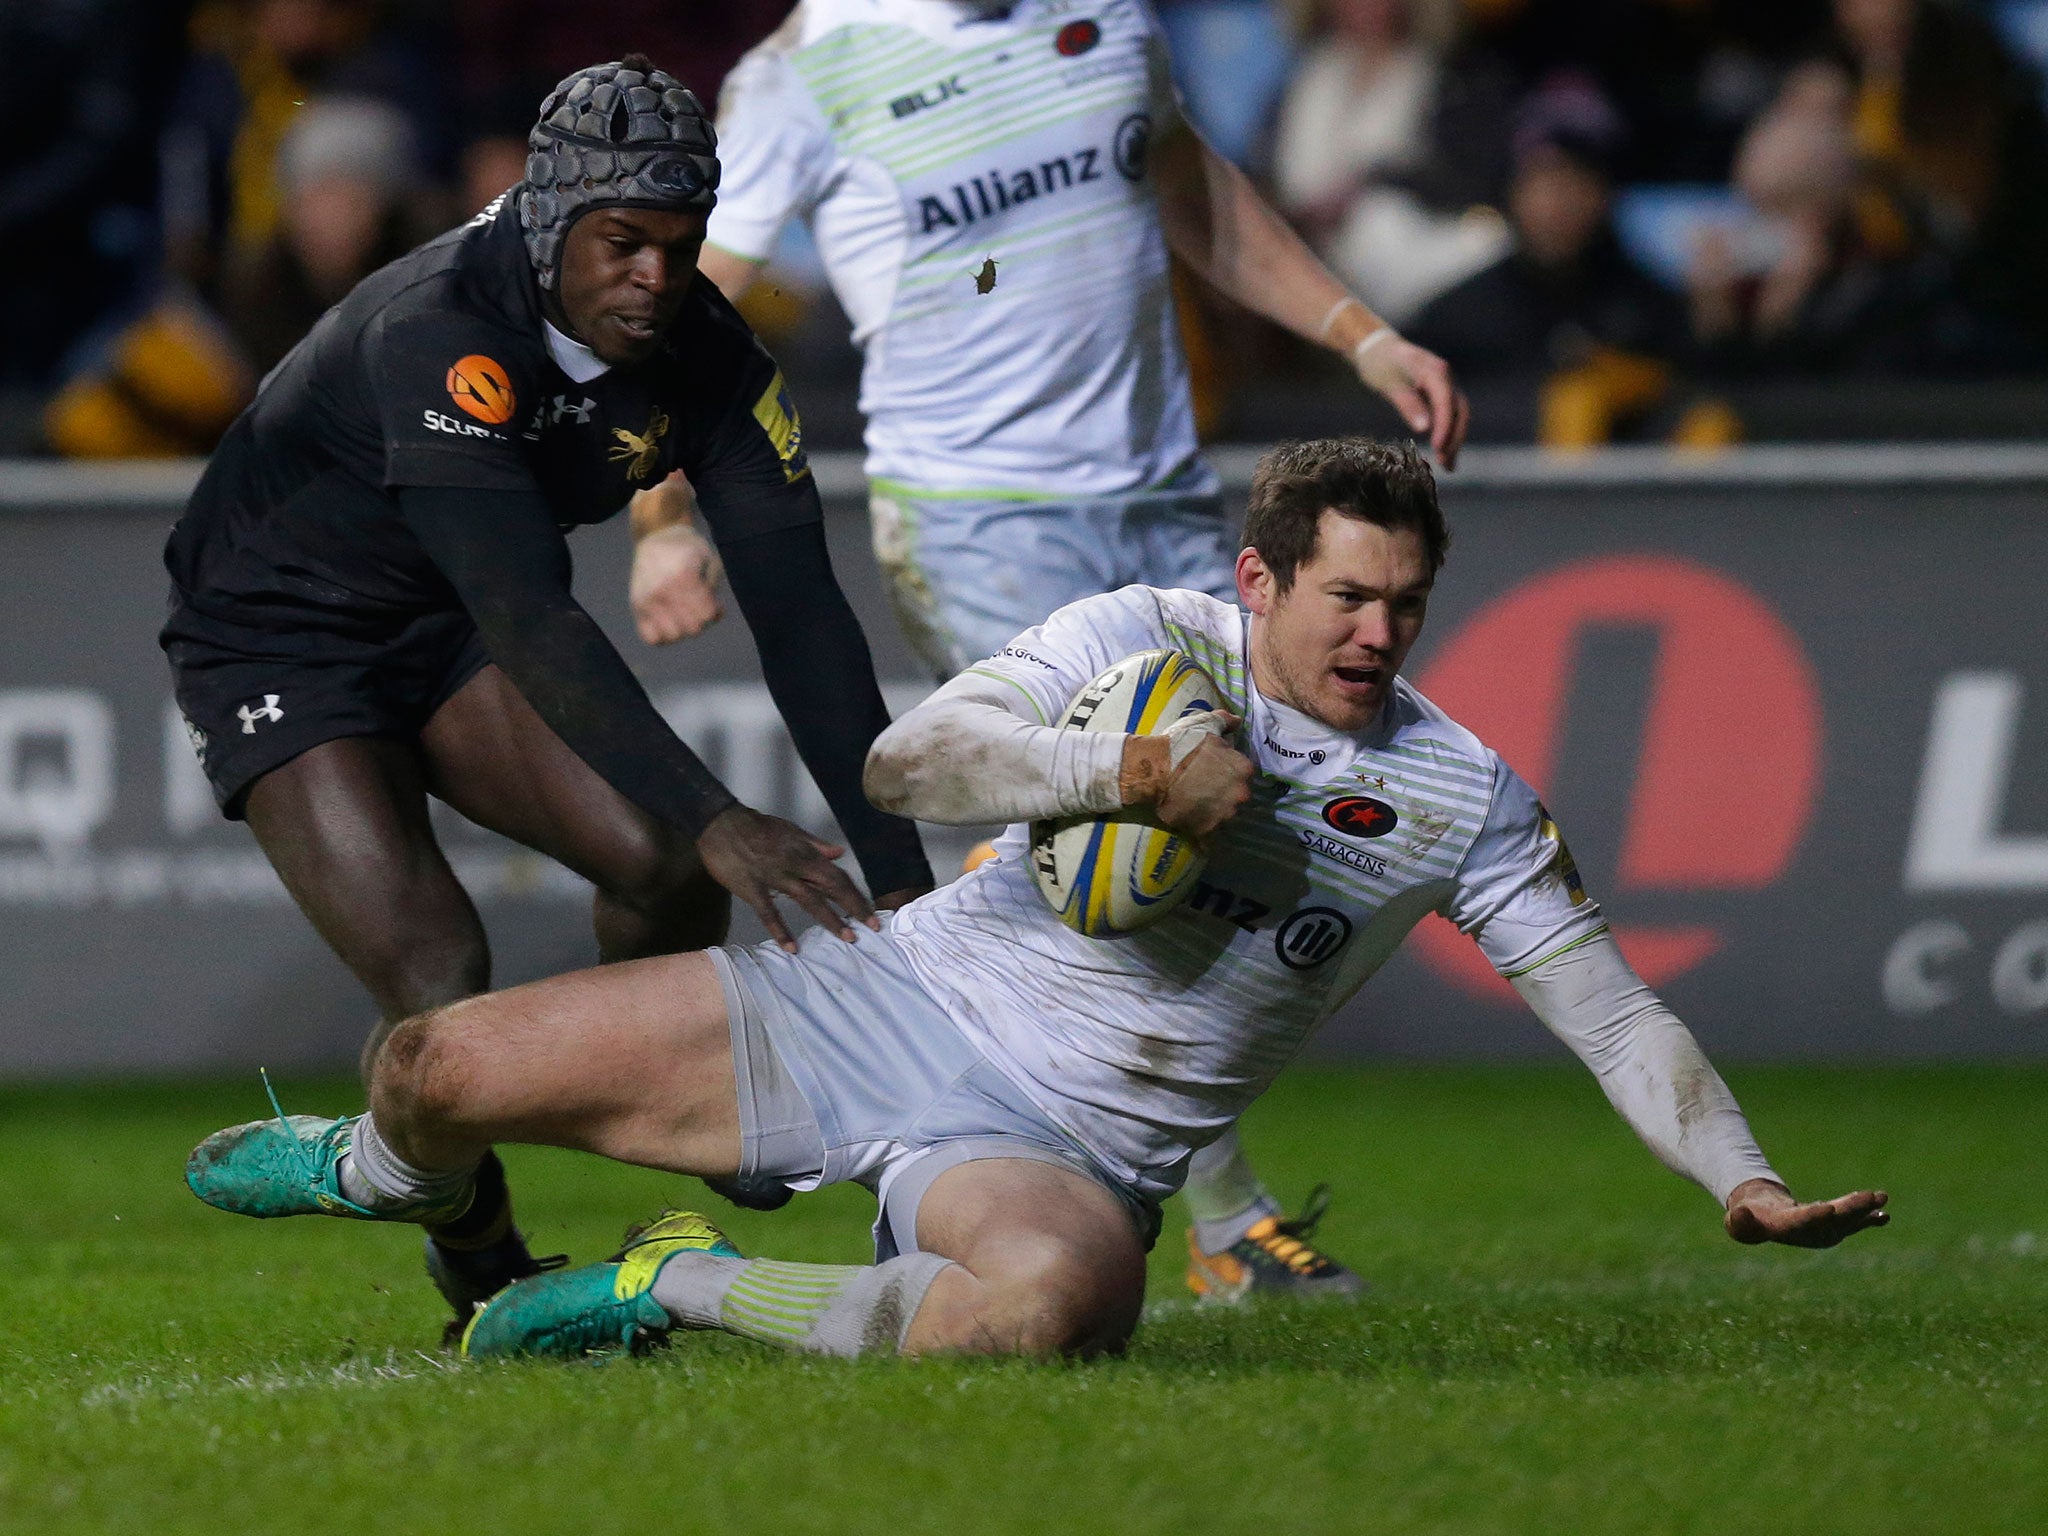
[[841, 1310]]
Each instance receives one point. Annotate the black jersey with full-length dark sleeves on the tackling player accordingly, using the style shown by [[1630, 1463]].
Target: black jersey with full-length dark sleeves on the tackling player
[[429, 411]]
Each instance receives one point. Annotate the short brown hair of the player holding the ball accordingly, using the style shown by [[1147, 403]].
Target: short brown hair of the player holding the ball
[[1375, 482]]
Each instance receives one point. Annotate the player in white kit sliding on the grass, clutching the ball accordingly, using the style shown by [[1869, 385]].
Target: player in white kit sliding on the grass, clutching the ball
[[1019, 1097]]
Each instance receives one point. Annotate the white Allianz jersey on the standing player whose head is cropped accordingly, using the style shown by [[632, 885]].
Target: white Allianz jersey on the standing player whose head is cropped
[[927, 138]]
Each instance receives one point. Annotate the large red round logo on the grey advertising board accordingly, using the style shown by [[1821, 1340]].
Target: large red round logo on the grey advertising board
[[1734, 720]]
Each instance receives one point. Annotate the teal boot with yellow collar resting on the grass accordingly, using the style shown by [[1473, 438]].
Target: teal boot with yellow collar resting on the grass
[[599, 1306]]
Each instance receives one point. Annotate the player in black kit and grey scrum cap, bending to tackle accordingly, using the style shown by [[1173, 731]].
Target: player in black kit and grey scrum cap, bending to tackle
[[372, 591]]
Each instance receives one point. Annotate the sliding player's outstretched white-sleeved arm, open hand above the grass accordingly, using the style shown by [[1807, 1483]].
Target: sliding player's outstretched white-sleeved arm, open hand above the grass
[[1523, 900]]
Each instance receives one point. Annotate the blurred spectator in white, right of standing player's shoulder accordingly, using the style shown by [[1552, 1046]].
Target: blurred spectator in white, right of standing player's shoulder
[[1390, 144]]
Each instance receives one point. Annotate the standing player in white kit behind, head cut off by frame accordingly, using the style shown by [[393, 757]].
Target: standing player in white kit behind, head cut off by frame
[[1029, 443]]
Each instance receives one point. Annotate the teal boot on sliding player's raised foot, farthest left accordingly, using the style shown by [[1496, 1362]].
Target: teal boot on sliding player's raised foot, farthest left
[[290, 1166]]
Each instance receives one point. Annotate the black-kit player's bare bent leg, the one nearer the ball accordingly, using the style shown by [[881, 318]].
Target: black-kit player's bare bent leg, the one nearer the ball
[[493, 757]]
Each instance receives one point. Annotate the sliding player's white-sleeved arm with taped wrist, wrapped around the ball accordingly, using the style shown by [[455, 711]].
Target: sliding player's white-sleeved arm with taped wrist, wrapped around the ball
[[984, 749]]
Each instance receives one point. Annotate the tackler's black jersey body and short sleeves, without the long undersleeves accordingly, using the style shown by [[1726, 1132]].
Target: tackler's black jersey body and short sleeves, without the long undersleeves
[[435, 372]]
